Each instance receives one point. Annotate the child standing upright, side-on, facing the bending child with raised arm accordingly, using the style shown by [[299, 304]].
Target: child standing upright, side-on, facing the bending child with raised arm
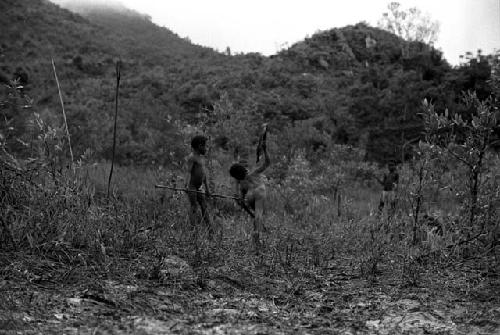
[[195, 178]]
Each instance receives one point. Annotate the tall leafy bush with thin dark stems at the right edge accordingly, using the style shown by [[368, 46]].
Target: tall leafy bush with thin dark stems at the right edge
[[468, 141]]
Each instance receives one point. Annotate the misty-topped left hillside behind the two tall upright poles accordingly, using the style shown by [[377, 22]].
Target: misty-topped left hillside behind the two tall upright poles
[[85, 51]]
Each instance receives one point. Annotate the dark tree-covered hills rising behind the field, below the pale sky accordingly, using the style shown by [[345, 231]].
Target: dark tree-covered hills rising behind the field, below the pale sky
[[355, 85]]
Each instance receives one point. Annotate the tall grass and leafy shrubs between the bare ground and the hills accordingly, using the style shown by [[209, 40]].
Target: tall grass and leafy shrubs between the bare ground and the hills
[[322, 201]]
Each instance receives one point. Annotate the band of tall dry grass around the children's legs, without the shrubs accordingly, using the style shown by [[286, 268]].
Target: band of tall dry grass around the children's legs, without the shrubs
[[71, 220]]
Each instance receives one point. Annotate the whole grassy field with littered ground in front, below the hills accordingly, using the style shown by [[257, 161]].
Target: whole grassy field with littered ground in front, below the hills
[[81, 263]]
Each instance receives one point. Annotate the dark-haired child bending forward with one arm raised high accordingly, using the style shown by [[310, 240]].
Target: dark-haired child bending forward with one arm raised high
[[252, 190]]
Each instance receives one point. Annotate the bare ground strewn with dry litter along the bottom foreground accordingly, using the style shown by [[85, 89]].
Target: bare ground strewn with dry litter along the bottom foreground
[[41, 295]]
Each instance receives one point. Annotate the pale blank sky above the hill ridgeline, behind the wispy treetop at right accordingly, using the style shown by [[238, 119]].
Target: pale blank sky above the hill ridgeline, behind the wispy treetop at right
[[266, 25]]
